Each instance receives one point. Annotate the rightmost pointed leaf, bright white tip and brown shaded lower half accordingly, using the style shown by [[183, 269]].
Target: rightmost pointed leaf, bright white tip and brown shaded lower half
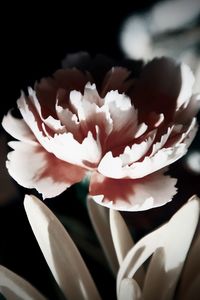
[[167, 262]]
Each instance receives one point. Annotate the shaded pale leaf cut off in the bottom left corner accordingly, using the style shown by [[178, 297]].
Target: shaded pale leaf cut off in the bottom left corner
[[13, 286]]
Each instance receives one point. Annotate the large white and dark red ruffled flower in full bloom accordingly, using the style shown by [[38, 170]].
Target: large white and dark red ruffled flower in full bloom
[[119, 129]]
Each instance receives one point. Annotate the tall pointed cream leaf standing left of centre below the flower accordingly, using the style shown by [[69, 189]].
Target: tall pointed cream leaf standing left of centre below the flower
[[60, 252]]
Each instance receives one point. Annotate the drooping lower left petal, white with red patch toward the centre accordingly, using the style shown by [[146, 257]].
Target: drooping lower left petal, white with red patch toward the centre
[[47, 174]]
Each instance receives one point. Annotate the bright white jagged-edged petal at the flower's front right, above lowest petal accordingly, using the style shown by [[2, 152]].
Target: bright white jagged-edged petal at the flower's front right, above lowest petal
[[160, 157]]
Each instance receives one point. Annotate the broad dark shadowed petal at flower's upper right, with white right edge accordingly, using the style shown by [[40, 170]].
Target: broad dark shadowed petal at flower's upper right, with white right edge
[[162, 79]]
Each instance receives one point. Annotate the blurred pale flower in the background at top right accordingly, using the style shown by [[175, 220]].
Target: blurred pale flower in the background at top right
[[169, 28]]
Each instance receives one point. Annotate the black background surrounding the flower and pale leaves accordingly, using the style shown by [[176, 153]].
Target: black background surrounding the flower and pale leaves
[[34, 41]]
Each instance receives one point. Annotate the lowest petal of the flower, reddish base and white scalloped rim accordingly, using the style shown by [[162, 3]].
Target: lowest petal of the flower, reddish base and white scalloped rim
[[133, 195]]
